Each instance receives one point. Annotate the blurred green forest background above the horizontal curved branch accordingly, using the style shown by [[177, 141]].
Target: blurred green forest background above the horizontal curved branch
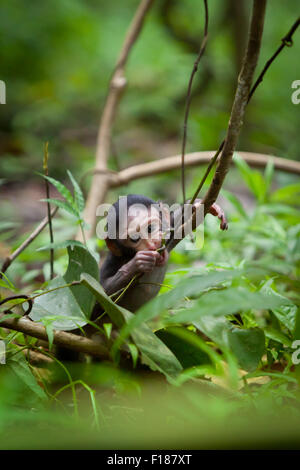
[[57, 57]]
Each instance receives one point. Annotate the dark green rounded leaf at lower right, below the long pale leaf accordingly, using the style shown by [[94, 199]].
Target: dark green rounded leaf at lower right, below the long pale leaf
[[247, 345]]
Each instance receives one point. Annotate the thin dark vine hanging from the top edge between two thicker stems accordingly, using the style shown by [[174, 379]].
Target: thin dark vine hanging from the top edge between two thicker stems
[[188, 98]]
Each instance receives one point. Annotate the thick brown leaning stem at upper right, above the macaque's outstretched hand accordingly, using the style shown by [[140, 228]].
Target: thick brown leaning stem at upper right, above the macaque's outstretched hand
[[240, 101]]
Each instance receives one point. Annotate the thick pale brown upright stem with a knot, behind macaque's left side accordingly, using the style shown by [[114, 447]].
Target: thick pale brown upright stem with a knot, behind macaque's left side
[[117, 85]]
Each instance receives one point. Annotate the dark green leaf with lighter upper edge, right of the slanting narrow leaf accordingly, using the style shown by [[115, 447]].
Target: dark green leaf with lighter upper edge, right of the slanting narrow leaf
[[189, 349]]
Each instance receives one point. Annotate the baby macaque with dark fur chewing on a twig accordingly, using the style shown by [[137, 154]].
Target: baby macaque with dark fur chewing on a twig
[[137, 228]]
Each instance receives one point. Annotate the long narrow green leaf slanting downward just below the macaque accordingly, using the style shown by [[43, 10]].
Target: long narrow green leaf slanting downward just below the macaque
[[154, 352]]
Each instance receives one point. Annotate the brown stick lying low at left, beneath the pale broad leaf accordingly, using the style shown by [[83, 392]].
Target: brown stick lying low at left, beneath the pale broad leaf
[[61, 338]]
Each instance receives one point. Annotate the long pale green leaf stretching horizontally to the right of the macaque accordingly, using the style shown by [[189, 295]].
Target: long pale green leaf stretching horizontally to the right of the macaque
[[228, 301]]
